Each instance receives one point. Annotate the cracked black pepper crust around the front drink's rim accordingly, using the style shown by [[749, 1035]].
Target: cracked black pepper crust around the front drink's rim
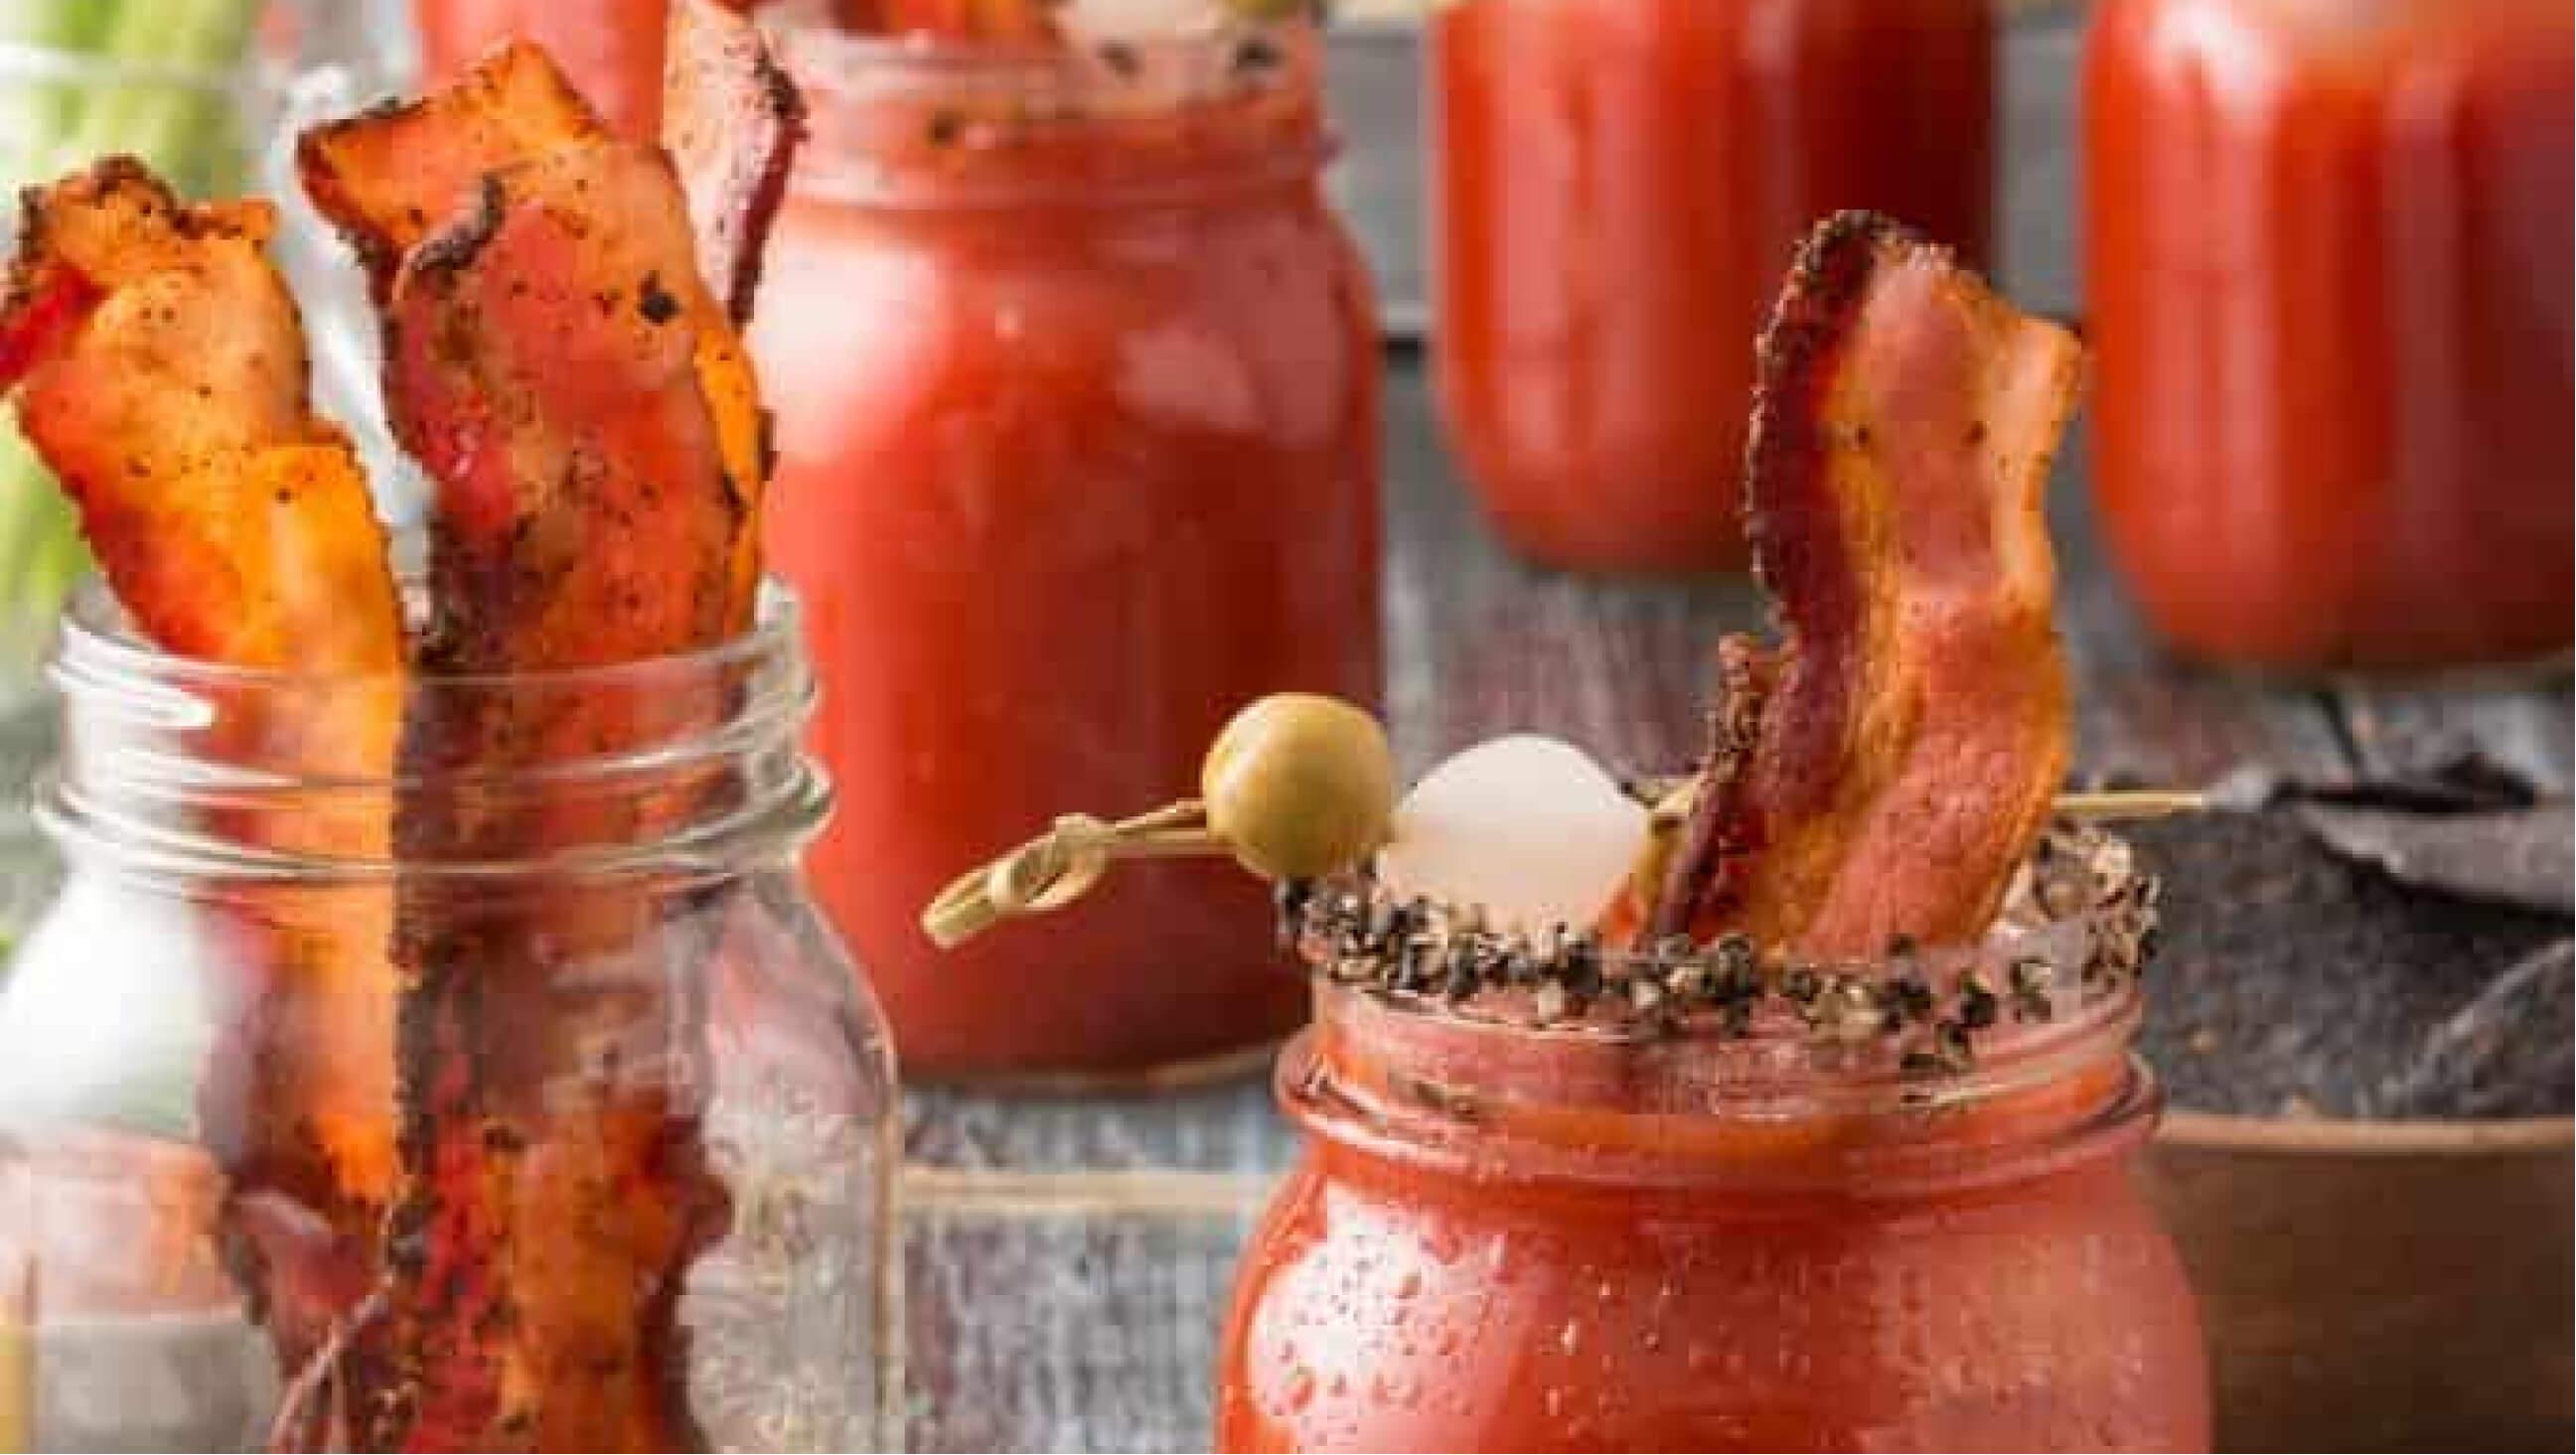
[[2075, 934]]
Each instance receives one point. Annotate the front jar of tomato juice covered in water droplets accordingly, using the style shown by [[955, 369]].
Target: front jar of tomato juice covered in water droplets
[[1598, 1237]]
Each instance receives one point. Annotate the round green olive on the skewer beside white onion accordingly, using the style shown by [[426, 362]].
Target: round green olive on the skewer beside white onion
[[1300, 787]]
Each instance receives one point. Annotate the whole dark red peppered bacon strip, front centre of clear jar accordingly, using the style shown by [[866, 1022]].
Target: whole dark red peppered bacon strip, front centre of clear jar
[[545, 367]]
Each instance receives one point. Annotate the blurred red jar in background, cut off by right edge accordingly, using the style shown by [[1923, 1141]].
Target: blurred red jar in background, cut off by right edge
[[2327, 264]]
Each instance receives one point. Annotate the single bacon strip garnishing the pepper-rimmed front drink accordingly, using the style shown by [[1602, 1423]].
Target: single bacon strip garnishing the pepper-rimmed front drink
[[1920, 727]]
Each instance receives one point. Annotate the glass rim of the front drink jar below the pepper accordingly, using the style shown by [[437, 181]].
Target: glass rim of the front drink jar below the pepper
[[1544, 1106]]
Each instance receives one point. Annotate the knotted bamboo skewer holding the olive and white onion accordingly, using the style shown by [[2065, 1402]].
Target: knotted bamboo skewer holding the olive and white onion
[[1063, 864]]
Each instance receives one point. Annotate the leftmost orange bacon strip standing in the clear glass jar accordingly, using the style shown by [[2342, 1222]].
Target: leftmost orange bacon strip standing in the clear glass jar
[[161, 372]]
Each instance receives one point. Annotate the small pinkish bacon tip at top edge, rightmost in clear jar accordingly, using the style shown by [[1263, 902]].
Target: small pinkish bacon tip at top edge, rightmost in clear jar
[[733, 122]]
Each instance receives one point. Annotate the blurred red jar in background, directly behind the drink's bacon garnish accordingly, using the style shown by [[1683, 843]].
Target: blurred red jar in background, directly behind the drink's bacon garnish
[[1619, 187]]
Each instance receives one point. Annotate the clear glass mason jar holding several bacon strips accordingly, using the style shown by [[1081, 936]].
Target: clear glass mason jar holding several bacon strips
[[298, 1073]]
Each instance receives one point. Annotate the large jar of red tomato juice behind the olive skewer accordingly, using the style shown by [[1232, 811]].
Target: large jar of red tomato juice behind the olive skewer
[[1078, 424]]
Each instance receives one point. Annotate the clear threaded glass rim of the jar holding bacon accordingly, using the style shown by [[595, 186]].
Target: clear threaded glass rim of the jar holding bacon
[[189, 771]]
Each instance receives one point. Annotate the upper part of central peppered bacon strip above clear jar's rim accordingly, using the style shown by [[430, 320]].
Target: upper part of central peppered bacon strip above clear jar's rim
[[542, 364]]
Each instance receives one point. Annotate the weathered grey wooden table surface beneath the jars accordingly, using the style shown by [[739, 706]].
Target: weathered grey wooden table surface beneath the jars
[[1068, 1261]]
